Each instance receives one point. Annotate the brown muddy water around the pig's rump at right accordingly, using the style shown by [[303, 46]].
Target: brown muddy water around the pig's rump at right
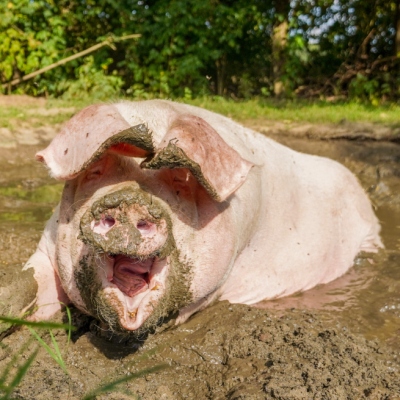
[[367, 298]]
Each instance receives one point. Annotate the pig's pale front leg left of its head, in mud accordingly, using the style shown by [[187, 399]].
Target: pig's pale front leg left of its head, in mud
[[50, 295]]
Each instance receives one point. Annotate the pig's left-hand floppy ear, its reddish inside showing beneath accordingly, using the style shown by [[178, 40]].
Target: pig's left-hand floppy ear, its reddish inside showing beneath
[[88, 134]]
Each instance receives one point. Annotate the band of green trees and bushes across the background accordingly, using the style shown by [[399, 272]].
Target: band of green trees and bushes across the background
[[191, 48]]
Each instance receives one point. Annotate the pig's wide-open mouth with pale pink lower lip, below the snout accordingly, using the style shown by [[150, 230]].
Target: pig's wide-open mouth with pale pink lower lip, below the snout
[[134, 286]]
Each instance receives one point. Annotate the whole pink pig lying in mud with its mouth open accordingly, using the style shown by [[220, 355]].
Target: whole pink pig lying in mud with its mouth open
[[168, 207]]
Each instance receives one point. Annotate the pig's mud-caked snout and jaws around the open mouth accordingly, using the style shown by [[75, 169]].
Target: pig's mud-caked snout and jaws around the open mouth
[[128, 271]]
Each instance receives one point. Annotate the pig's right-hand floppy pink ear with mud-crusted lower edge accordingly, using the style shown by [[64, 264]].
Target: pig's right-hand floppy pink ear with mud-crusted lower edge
[[194, 144]]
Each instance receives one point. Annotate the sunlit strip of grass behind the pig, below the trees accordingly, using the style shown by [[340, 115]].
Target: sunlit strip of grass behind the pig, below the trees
[[57, 111]]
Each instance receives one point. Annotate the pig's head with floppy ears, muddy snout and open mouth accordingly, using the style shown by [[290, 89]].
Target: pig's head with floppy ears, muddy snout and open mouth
[[141, 195]]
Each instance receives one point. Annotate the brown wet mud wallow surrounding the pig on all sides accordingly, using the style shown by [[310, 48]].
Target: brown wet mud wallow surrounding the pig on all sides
[[337, 341]]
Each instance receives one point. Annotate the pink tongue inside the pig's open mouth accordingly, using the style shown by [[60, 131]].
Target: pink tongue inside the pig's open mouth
[[131, 275]]
